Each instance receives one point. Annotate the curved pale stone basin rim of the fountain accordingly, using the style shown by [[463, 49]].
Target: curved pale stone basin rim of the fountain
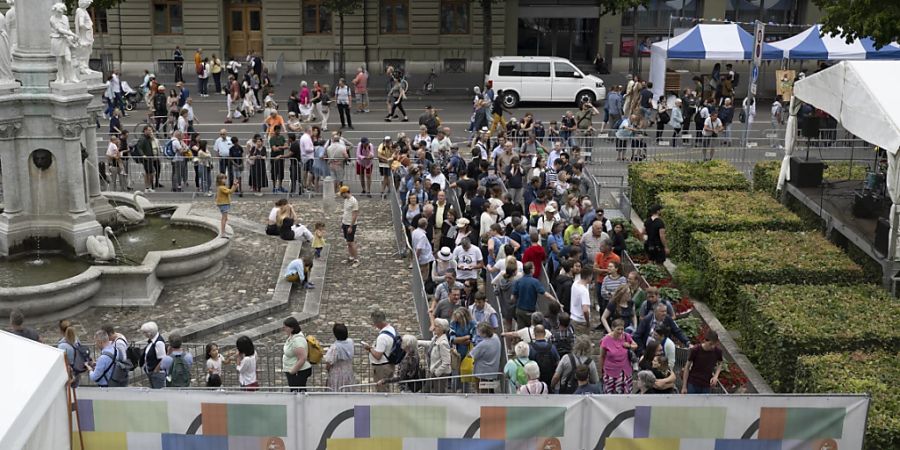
[[137, 285]]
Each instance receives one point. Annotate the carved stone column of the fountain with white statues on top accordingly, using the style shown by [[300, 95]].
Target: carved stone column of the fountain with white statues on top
[[48, 193]]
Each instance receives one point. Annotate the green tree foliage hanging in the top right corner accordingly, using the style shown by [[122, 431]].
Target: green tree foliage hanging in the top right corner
[[853, 19]]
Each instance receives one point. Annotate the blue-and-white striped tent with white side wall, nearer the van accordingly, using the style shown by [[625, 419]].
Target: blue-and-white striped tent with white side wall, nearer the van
[[723, 42]]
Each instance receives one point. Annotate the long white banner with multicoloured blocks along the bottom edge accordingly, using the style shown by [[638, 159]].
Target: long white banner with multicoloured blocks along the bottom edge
[[166, 420]]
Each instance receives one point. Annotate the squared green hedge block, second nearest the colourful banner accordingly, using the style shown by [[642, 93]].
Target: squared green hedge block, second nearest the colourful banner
[[785, 321]]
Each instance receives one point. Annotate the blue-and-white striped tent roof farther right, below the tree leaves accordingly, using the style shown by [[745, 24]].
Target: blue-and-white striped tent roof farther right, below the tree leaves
[[810, 44]]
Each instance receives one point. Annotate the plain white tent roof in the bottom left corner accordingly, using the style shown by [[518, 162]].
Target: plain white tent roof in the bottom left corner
[[34, 414]]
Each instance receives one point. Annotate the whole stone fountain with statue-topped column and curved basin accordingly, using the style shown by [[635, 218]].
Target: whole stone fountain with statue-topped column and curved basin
[[49, 102]]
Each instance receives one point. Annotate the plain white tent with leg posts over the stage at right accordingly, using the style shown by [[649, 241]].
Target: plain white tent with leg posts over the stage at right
[[860, 96]]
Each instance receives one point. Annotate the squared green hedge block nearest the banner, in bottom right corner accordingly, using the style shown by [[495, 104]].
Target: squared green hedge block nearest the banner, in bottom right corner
[[874, 373]]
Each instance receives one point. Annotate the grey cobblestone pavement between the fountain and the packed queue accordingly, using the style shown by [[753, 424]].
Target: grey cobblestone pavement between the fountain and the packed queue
[[250, 272]]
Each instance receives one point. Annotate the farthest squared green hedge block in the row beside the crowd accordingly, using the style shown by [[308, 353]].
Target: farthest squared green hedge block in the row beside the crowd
[[649, 179]]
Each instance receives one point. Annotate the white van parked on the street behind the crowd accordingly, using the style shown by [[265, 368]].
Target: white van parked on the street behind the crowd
[[543, 79]]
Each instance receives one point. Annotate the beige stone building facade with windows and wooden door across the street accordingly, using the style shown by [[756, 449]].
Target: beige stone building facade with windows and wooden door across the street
[[445, 35]]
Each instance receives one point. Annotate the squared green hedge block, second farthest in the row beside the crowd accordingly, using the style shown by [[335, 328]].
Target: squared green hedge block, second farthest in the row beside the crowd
[[688, 212]]
